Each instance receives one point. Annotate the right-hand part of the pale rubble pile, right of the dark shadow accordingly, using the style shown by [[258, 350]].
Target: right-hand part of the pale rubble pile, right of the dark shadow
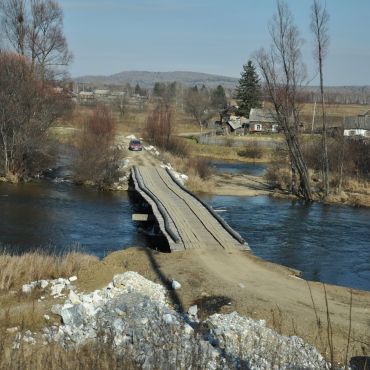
[[252, 345]]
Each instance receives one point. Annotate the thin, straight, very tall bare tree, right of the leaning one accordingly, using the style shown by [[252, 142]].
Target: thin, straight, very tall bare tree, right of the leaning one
[[319, 28]]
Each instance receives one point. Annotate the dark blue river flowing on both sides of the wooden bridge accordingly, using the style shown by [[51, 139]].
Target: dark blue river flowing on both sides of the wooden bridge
[[327, 243]]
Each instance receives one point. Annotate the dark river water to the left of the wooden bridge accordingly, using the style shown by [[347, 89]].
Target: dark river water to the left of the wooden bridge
[[58, 216]]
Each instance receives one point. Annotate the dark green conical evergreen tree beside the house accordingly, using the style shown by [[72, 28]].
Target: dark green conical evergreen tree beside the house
[[248, 92]]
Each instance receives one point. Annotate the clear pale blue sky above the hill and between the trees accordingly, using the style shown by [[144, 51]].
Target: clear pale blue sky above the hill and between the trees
[[212, 36]]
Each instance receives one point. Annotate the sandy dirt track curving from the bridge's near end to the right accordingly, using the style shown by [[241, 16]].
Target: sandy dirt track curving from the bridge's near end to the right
[[253, 287]]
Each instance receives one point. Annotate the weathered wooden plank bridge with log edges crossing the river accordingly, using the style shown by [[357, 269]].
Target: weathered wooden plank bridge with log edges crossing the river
[[186, 221]]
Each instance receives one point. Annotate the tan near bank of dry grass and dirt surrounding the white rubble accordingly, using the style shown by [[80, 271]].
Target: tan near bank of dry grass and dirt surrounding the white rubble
[[298, 312]]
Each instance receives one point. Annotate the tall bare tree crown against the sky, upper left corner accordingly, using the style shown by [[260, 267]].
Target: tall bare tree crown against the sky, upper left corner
[[35, 28]]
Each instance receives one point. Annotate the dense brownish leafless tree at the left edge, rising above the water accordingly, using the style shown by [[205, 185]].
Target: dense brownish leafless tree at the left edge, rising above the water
[[28, 108]]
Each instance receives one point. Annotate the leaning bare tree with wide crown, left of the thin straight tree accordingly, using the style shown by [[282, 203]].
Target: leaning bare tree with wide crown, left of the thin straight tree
[[284, 73]]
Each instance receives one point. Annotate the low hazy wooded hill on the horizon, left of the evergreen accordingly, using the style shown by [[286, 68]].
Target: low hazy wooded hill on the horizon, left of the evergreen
[[148, 79]]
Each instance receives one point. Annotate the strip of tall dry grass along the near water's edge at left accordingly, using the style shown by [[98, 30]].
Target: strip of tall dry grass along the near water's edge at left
[[18, 270]]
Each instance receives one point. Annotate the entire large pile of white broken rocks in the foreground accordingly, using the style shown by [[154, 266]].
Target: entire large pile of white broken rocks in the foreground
[[133, 315]]
